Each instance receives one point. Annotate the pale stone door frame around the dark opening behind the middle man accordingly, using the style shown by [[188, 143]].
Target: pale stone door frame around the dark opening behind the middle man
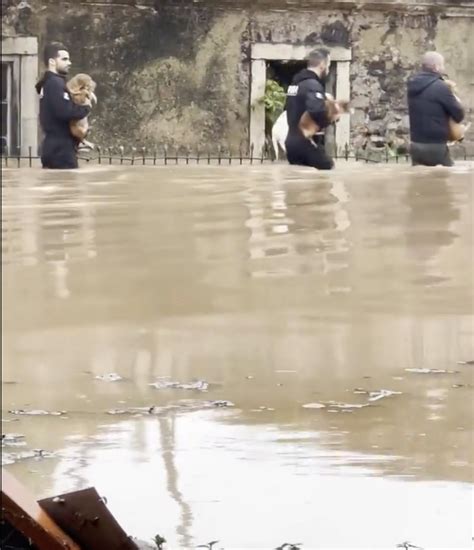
[[263, 52]]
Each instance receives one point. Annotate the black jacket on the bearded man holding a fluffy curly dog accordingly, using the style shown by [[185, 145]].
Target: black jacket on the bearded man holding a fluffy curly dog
[[56, 106]]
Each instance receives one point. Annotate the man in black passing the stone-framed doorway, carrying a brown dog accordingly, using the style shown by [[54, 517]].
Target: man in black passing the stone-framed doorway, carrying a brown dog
[[307, 93]]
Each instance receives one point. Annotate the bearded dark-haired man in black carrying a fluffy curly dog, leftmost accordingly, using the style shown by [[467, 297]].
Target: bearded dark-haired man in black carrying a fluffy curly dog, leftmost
[[59, 147]]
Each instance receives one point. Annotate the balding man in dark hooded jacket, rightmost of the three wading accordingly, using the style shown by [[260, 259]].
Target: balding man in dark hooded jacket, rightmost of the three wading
[[431, 104]]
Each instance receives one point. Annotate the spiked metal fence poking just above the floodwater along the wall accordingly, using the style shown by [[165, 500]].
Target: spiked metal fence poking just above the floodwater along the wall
[[141, 156]]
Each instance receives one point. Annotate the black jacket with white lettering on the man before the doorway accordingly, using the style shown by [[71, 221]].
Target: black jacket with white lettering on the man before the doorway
[[306, 93]]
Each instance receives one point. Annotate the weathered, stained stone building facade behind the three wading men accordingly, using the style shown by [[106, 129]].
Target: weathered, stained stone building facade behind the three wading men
[[190, 74]]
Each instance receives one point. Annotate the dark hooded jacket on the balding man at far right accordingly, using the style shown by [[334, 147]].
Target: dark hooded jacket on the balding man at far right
[[431, 104]]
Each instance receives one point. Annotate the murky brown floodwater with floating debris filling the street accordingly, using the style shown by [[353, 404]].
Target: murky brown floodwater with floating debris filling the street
[[280, 287]]
